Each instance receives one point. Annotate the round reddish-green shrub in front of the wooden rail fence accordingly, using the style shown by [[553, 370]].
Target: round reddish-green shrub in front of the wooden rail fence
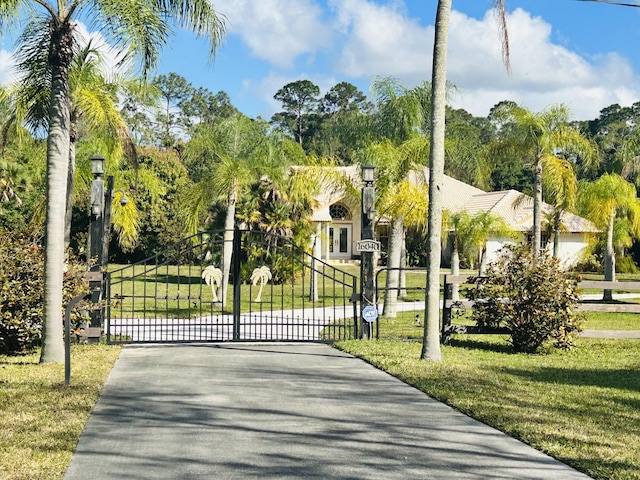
[[534, 298]]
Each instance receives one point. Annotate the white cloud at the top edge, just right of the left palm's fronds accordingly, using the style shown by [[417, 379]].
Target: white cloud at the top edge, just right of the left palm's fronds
[[278, 31]]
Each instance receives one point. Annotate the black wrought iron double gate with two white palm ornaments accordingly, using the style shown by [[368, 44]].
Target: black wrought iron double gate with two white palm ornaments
[[275, 292]]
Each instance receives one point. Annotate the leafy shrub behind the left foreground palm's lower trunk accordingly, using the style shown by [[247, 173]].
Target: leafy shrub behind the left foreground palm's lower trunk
[[22, 292]]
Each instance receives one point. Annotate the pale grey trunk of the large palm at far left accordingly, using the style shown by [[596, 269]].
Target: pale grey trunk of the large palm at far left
[[57, 171]]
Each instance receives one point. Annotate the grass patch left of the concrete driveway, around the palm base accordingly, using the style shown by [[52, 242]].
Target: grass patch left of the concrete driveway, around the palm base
[[41, 419]]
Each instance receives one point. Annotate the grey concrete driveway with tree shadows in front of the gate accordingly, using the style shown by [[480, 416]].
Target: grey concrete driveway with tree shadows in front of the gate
[[244, 411]]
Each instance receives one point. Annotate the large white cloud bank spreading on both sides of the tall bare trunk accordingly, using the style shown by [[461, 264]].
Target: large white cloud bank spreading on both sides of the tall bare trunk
[[381, 40]]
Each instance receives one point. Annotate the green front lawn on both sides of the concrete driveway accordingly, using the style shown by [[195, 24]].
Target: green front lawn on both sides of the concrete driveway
[[583, 406]]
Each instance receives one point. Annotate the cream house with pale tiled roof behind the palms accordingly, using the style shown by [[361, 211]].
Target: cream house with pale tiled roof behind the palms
[[338, 218]]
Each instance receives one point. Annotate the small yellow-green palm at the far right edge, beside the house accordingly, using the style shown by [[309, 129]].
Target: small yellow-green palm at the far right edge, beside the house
[[607, 201]]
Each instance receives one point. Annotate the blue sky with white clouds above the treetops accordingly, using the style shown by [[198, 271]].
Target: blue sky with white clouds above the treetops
[[579, 53]]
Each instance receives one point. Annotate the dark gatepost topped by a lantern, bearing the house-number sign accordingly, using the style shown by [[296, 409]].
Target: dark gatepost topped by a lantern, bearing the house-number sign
[[367, 274]]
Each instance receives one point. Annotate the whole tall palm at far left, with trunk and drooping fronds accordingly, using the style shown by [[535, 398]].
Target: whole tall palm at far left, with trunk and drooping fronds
[[46, 49]]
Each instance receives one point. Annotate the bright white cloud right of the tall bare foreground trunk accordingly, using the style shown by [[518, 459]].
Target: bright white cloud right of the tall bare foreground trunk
[[543, 73]]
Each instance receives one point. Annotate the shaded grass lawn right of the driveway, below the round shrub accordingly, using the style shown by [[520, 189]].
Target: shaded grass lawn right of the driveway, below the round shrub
[[582, 406]]
